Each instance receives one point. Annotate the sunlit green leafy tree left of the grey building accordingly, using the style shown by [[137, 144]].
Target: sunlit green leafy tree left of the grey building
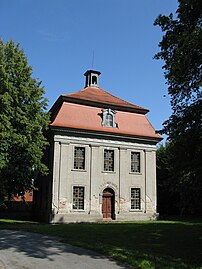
[[23, 118]]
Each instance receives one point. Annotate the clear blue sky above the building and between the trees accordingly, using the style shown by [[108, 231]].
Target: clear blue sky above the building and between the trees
[[64, 38]]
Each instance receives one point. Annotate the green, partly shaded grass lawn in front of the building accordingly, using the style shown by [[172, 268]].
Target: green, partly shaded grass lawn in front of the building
[[144, 245]]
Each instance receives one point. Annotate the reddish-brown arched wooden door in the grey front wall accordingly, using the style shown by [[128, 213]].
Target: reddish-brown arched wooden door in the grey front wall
[[108, 204]]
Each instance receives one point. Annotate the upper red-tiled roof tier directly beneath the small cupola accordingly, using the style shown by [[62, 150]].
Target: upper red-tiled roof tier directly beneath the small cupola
[[100, 96]]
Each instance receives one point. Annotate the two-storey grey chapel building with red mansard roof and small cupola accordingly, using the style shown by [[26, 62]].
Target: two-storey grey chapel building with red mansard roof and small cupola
[[101, 159]]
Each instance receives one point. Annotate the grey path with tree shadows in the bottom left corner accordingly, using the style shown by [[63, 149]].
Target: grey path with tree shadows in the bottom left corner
[[20, 250]]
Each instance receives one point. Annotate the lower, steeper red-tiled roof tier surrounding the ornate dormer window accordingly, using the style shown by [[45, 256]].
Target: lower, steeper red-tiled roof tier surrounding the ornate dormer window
[[71, 115]]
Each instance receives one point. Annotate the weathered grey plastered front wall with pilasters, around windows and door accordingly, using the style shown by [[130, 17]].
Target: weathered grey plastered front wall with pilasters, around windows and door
[[95, 180]]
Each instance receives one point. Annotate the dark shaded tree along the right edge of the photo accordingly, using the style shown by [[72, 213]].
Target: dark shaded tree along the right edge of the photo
[[181, 51]]
